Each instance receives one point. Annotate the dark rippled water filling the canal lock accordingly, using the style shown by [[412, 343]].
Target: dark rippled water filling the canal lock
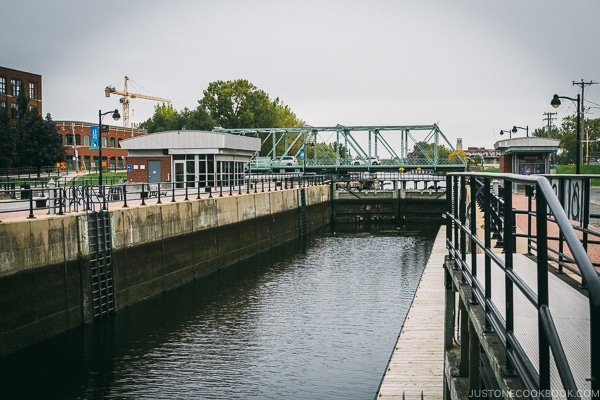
[[312, 323]]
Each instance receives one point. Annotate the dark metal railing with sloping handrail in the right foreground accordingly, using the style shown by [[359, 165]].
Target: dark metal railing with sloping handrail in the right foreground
[[461, 229]]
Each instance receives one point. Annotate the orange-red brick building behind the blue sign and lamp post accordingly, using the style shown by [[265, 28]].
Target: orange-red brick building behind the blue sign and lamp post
[[77, 139]]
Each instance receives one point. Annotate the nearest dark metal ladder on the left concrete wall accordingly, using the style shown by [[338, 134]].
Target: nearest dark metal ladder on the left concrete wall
[[101, 269]]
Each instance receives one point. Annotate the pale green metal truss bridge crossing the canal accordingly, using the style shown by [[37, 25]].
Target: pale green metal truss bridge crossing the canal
[[348, 148]]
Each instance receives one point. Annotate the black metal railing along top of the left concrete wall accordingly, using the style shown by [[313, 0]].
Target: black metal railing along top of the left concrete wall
[[59, 197]]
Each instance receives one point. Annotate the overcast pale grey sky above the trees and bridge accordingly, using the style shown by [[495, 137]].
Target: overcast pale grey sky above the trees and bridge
[[473, 67]]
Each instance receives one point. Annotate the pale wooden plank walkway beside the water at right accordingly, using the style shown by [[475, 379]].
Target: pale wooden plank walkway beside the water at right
[[417, 362]]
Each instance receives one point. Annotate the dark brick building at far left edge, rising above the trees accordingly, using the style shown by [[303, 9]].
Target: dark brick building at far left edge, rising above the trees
[[14, 82]]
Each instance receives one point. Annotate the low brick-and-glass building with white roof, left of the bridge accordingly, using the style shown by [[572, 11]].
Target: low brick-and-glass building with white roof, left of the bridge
[[189, 158]]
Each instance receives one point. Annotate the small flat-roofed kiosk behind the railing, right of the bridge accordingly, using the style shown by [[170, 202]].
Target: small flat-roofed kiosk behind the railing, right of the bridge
[[527, 156]]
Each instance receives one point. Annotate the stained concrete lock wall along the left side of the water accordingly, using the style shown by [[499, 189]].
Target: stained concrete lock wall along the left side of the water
[[44, 263]]
